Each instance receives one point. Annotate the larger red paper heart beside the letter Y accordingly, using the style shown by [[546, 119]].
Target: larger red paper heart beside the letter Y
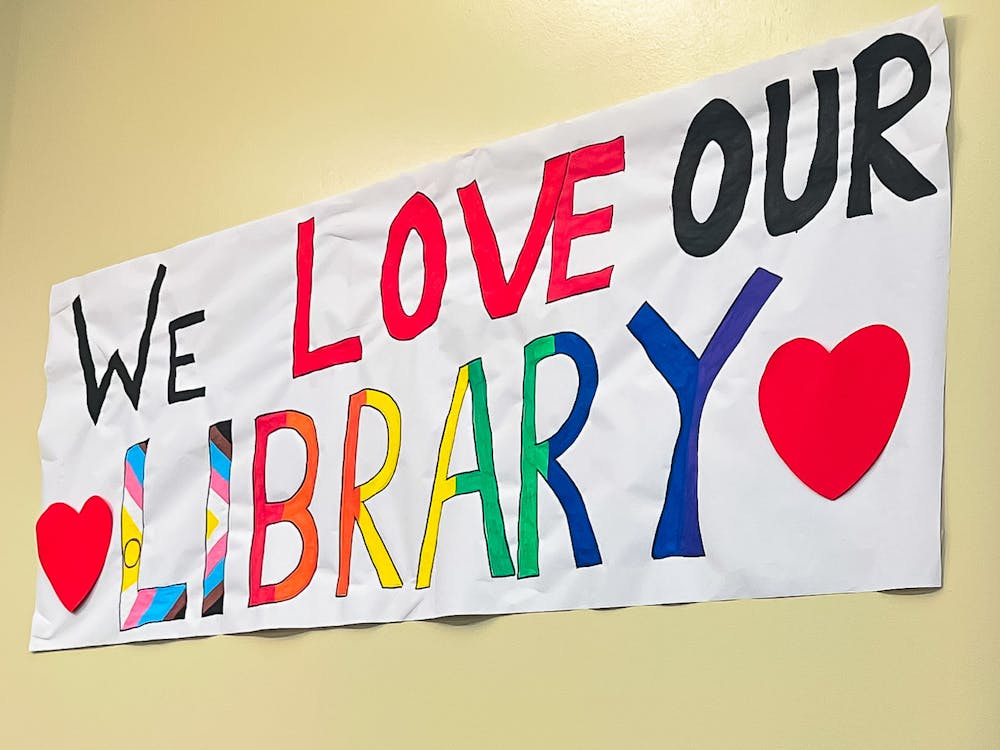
[[830, 414]]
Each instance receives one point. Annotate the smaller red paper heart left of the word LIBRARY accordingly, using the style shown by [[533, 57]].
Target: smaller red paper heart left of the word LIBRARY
[[72, 547]]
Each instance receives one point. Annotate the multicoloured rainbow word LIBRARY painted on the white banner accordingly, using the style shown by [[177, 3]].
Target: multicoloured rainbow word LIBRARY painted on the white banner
[[688, 375]]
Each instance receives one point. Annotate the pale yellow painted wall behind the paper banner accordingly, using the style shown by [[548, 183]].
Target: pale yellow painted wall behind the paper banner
[[127, 127]]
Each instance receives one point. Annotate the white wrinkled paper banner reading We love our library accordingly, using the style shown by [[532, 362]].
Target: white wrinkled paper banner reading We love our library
[[684, 349]]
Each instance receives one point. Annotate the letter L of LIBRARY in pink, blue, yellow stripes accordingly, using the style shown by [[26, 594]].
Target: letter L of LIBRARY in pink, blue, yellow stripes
[[139, 606]]
